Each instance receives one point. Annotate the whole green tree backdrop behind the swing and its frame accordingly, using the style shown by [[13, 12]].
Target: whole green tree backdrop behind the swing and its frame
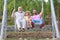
[[29, 5]]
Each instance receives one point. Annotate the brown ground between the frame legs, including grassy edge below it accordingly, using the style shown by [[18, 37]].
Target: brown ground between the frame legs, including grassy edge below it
[[29, 36]]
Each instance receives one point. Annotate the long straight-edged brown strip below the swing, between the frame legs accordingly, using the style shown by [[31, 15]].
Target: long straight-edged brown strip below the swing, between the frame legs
[[29, 35]]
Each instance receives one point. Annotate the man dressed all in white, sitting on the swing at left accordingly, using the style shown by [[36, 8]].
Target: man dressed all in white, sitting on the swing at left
[[19, 18]]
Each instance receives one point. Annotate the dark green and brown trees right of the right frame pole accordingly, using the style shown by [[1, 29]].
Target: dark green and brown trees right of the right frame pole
[[57, 9]]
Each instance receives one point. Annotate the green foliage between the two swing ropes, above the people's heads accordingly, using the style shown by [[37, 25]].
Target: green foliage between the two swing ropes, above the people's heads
[[28, 4]]
